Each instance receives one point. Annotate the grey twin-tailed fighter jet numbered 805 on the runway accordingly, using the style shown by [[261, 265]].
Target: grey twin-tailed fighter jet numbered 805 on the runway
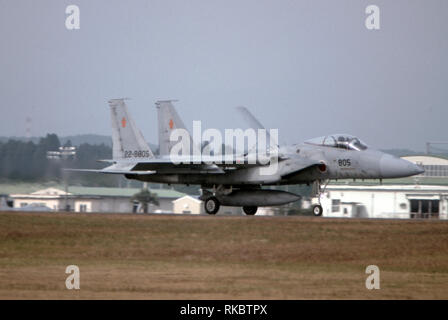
[[238, 181]]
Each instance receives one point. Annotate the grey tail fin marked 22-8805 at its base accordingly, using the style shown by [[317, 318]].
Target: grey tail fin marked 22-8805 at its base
[[127, 140]]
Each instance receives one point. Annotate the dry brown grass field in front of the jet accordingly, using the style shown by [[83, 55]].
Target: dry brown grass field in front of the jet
[[213, 257]]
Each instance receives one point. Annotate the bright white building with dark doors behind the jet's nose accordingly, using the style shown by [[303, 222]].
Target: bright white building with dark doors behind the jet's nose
[[422, 196]]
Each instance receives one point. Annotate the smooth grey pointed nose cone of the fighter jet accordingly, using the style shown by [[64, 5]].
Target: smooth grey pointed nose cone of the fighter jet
[[392, 167]]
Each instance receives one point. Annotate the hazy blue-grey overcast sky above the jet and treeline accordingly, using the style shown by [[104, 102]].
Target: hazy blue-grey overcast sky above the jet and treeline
[[308, 68]]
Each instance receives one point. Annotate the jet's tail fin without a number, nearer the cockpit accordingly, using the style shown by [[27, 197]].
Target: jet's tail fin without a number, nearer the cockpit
[[168, 121]]
